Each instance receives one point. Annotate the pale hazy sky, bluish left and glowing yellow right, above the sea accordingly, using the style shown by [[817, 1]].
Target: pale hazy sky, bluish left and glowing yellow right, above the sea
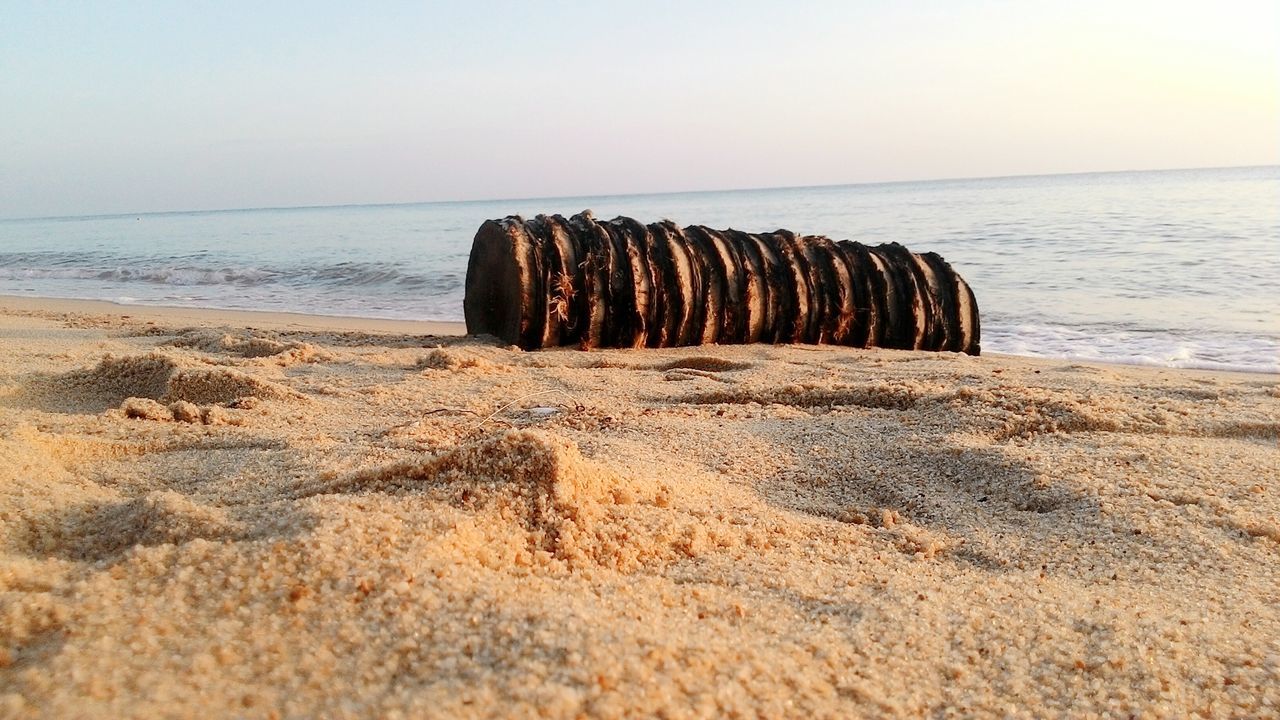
[[152, 107]]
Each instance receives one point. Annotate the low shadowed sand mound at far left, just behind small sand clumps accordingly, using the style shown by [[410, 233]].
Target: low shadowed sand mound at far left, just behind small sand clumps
[[161, 379]]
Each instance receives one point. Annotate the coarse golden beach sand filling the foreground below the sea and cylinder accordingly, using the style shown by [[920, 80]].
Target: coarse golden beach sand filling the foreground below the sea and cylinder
[[211, 514]]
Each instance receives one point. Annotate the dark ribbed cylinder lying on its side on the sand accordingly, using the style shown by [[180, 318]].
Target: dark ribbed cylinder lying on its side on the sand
[[556, 281]]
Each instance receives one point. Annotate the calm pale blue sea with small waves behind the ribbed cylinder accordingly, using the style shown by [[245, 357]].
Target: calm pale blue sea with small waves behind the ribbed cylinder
[[1174, 268]]
